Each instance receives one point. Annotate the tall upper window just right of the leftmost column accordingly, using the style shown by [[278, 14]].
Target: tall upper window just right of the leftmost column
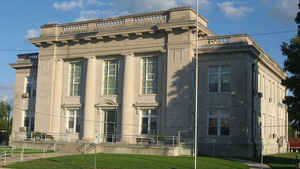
[[72, 80]]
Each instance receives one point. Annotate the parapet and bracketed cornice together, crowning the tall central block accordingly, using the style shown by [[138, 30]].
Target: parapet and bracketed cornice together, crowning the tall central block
[[122, 27]]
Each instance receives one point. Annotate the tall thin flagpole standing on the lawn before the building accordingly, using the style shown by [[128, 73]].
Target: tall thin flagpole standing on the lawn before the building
[[196, 88]]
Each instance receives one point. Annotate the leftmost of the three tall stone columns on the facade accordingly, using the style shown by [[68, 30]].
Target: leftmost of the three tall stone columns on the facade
[[56, 114]]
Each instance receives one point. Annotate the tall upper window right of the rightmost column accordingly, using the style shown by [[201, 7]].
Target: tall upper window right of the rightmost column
[[145, 75]]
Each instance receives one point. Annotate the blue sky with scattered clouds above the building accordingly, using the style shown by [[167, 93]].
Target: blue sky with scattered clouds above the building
[[21, 19]]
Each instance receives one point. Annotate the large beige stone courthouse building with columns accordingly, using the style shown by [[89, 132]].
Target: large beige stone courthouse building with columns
[[130, 80]]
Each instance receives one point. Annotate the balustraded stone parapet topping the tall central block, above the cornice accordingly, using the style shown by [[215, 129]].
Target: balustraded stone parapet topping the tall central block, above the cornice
[[154, 18]]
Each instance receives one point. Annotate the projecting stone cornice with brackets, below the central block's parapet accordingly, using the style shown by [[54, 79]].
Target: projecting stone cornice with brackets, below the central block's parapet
[[123, 32]]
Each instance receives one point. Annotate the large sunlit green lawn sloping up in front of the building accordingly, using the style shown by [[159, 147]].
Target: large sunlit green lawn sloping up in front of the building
[[113, 161]]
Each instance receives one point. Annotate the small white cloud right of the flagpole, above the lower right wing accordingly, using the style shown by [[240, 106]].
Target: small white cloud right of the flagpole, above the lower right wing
[[232, 11]]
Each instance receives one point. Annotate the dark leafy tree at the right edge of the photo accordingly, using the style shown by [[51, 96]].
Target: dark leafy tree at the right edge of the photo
[[292, 65]]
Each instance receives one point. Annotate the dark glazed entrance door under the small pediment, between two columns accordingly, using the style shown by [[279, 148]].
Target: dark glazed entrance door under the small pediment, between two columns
[[110, 126]]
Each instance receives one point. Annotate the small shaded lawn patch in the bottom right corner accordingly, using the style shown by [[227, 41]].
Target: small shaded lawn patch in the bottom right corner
[[282, 161]]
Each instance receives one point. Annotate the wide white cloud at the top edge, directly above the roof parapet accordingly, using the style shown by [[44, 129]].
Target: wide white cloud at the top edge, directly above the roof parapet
[[134, 6]]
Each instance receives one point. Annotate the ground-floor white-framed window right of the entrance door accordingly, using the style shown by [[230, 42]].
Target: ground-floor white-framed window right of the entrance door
[[149, 116]]
